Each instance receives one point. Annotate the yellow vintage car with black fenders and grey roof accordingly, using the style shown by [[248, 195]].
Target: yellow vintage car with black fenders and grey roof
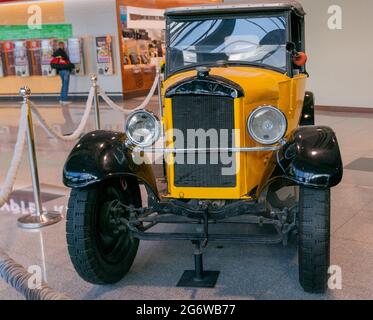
[[236, 138]]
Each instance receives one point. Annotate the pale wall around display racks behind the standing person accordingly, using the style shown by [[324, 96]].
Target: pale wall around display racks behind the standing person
[[89, 18]]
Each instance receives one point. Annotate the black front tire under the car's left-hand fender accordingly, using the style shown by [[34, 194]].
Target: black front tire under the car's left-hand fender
[[100, 254]]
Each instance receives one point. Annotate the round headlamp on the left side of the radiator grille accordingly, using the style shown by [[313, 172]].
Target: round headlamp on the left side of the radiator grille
[[142, 128]]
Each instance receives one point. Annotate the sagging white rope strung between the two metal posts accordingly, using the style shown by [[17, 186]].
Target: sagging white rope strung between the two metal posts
[[77, 133]]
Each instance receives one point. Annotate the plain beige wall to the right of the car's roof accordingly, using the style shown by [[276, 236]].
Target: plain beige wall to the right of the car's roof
[[340, 61]]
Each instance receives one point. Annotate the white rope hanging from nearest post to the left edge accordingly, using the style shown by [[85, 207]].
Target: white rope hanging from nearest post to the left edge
[[16, 159]]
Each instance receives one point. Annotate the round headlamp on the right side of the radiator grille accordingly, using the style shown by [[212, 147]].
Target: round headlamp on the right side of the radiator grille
[[267, 125]]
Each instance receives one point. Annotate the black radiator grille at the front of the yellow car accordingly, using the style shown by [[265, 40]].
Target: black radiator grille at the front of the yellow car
[[203, 112]]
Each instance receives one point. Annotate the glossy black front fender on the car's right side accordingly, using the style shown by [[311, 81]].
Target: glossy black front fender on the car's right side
[[311, 157]]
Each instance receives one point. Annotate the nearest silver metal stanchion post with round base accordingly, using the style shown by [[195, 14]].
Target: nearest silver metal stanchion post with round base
[[39, 218]]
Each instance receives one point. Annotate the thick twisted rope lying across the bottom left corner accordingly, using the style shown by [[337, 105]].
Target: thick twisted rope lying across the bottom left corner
[[17, 277]]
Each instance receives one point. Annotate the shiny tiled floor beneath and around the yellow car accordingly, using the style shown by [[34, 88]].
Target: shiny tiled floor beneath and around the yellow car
[[247, 271]]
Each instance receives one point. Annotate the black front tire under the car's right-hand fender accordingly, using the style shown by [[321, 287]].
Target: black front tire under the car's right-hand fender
[[314, 239]]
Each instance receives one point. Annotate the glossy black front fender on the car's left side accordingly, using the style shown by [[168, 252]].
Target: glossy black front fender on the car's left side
[[100, 155]]
